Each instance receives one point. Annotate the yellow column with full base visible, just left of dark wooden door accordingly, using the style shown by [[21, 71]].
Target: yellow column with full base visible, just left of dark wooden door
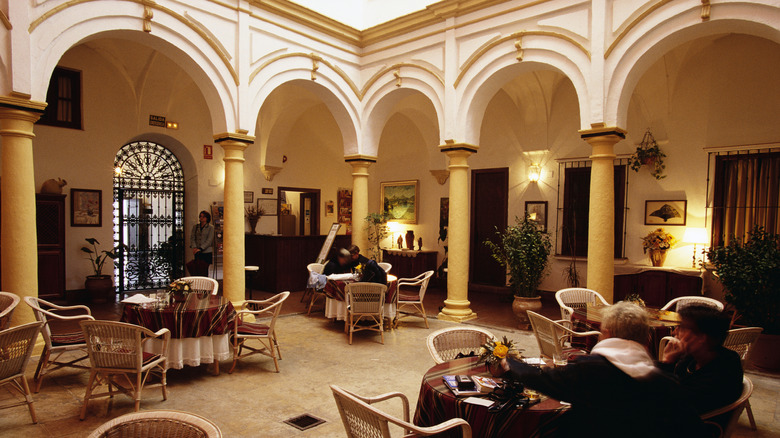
[[456, 306]]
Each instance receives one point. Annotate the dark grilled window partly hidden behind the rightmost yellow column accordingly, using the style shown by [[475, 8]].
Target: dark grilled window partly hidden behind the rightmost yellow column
[[574, 209]]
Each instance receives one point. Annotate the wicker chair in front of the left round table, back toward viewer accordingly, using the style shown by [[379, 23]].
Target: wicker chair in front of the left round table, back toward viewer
[[117, 349]]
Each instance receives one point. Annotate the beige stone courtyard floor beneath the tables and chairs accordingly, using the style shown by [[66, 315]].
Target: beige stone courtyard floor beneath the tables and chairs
[[254, 400]]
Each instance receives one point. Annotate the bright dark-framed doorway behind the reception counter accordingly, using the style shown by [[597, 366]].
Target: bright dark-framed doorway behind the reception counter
[[299, 211]]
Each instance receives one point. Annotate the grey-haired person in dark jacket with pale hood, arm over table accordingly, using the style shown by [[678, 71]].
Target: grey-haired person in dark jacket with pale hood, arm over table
[[616, 391]]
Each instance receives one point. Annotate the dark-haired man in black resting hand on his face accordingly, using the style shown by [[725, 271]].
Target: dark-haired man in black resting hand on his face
[[709, 373]]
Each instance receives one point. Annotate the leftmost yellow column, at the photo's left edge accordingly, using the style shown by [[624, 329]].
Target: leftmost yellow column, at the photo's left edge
[[19, 253]]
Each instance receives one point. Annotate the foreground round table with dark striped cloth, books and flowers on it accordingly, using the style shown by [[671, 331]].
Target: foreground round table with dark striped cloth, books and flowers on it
[[437, 404]]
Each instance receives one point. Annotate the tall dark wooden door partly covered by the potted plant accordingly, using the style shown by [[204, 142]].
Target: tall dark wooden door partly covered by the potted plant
[[489, 204]]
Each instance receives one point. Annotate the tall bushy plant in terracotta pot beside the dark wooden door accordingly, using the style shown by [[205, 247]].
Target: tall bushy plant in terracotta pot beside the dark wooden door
[[523, 250]]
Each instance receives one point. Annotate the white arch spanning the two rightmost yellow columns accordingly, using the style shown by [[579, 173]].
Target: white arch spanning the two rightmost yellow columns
[[490, 73]]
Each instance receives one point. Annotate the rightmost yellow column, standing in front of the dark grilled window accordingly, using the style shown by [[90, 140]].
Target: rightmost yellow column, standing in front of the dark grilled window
[[601, 214]]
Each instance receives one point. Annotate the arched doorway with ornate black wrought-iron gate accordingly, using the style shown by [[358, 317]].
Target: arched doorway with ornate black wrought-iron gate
[[148, 216]]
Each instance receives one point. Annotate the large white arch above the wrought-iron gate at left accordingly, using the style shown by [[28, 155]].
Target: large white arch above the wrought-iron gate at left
[[82, 22]]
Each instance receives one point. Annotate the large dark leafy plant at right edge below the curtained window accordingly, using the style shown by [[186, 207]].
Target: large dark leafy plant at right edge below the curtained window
[[750, 273]]
